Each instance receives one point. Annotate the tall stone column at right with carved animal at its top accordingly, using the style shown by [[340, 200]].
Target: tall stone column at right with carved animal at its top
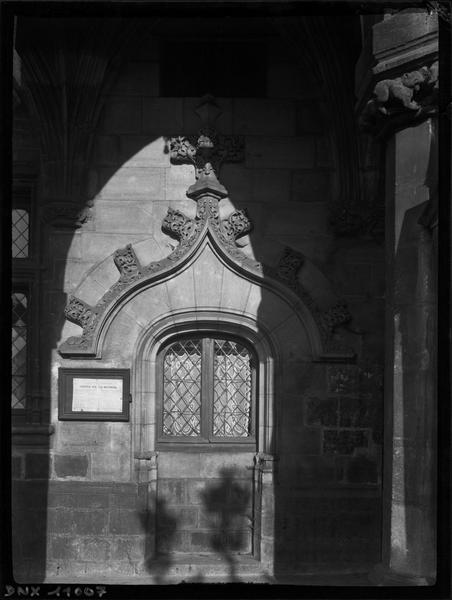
[[400, 110]]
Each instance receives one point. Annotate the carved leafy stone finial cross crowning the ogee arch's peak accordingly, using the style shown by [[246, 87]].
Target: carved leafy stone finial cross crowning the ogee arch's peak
[[208, 150]]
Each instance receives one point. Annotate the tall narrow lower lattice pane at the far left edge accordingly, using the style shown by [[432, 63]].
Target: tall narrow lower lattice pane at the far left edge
[[19, 349]]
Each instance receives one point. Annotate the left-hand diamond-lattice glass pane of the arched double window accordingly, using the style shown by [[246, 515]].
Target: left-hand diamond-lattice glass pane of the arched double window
[[182, 389]]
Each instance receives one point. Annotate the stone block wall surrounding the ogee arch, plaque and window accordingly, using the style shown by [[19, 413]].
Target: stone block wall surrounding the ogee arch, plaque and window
[[326, 501]]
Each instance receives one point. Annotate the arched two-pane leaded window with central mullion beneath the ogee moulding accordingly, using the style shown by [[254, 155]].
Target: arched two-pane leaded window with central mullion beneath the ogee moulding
[[207, 391]]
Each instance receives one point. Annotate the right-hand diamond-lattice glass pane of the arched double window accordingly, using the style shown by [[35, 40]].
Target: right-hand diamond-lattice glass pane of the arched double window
[[232, 390]]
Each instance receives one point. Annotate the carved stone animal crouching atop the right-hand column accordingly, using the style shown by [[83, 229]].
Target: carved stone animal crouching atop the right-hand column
[[401, 89]]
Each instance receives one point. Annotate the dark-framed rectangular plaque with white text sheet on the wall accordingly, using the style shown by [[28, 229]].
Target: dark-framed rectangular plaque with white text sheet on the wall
[[93, 394]]
